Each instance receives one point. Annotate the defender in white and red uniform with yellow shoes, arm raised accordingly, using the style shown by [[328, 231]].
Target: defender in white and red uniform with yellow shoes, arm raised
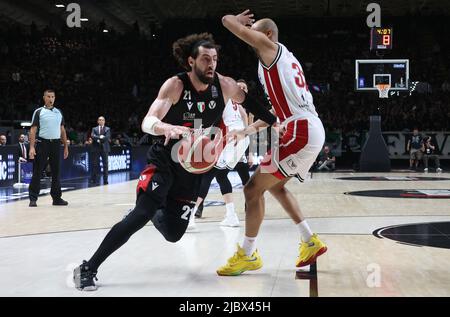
[[284, 82]]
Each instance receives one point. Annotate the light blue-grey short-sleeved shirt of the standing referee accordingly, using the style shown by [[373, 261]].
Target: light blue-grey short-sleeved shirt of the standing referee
[[48, 122]]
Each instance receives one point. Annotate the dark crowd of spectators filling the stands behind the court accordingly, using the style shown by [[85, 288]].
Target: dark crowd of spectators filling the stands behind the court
[[118, 75]]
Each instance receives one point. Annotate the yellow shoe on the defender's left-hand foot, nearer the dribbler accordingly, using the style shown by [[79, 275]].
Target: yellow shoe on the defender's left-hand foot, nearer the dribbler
[[239, 263]]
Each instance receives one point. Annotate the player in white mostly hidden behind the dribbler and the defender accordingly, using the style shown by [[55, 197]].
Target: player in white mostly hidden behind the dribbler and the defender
[[234, 117]]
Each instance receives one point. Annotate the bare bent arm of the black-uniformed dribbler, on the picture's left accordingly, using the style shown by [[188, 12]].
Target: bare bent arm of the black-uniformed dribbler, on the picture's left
[[168, 95]]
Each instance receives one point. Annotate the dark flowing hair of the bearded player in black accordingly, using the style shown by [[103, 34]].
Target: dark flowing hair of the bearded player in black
[[189, 46]]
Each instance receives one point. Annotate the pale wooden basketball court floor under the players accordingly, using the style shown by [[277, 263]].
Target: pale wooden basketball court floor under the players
[[40, 246]]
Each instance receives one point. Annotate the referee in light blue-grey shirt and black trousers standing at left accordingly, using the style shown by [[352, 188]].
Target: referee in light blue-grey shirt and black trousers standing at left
[[46, 133]]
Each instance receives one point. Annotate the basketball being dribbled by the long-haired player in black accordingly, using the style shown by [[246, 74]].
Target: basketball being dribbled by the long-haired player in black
[[198, 154]]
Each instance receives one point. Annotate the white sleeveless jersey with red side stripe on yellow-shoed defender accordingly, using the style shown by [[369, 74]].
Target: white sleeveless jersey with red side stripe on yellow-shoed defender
[[285, 84]]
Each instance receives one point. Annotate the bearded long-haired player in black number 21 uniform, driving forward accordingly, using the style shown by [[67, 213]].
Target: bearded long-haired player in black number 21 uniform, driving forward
[[166, 192]]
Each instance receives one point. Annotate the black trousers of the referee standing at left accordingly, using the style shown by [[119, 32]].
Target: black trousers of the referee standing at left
[[46, 150]]
